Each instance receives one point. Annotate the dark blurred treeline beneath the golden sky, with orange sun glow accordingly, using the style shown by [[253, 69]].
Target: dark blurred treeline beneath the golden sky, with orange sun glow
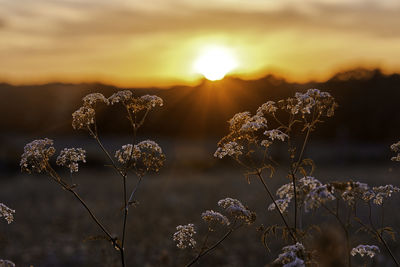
[[368, 108]]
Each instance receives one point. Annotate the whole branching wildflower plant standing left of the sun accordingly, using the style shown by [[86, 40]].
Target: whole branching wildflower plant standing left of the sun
[[138, 158]]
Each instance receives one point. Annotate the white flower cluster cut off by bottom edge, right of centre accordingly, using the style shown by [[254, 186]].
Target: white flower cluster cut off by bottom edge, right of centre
[[292, 256]]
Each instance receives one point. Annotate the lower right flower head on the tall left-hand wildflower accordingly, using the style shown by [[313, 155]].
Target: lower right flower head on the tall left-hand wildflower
[[145, 156]]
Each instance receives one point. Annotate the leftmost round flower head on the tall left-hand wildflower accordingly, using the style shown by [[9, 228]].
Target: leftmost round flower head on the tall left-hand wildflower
[[36, 155]]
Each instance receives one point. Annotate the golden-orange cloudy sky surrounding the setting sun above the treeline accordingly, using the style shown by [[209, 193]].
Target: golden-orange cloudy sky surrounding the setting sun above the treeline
[[155, 42]]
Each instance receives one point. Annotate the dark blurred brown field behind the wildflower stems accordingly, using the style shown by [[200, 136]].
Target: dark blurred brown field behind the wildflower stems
[[50, 226]]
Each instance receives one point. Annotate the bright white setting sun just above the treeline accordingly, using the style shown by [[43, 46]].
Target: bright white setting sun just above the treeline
[[215, 62]]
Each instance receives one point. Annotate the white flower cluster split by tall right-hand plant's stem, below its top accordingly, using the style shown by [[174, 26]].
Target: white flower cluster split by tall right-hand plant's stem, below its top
[[312, 192]]
